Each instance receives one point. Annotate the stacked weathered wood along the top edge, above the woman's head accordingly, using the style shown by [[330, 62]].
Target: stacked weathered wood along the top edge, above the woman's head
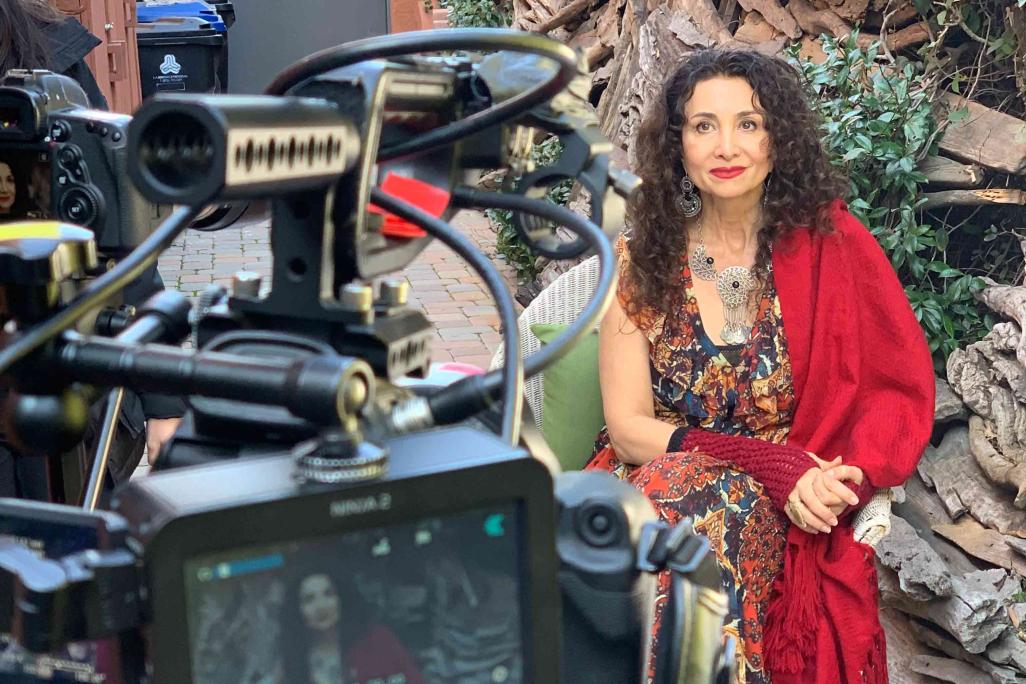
[[629, 45]]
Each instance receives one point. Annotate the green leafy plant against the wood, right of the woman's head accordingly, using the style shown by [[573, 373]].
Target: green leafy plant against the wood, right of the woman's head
[[879, 124]]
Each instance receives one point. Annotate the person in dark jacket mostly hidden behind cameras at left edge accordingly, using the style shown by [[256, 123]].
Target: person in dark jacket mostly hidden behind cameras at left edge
[[35, 35]]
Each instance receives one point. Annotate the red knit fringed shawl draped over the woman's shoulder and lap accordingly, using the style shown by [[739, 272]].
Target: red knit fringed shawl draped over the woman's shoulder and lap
[[864, 383]]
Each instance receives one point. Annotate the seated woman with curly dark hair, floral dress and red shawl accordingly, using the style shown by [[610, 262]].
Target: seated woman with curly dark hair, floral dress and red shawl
[[763, 373]]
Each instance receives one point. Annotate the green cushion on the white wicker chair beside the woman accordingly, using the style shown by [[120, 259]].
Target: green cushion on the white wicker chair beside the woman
[[572, 407]]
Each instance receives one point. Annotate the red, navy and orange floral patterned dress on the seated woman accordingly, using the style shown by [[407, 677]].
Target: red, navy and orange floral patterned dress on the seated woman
[[736, 390]]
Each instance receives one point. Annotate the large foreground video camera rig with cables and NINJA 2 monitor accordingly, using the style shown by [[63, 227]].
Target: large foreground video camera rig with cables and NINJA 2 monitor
[[363, 151]]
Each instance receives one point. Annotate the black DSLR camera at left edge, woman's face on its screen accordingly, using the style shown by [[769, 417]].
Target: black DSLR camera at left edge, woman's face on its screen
[[70, 163]]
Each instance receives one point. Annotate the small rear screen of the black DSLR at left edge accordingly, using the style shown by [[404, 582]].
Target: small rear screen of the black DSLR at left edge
[[25, 185]]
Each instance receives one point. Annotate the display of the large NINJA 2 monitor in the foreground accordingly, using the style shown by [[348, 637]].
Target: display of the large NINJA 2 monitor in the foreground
[[435, 600]]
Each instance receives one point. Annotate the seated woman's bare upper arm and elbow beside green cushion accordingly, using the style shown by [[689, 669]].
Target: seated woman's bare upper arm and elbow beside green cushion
[[636, 434]]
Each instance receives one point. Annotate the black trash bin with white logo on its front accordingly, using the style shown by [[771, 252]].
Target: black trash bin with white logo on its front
[[182, 55]]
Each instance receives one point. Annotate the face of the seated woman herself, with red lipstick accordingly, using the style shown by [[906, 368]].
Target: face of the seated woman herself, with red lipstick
[[725, 142]]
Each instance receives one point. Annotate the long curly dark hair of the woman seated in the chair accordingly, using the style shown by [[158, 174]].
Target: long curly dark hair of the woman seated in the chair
[[800, 190]]
